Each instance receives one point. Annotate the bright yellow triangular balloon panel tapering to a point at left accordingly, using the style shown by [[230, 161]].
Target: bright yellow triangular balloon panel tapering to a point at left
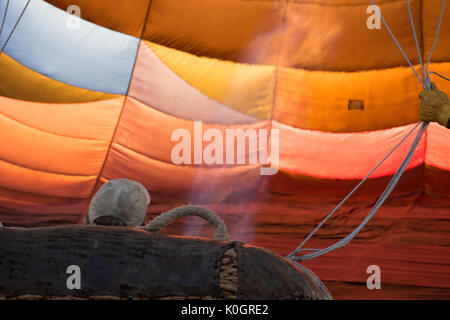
[[245, 88]]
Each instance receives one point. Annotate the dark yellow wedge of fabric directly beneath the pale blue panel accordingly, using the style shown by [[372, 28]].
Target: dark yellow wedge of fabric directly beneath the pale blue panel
[[19, 82]]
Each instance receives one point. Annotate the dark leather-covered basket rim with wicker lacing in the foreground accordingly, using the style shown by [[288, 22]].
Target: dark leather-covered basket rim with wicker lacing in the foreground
[[119, 263]]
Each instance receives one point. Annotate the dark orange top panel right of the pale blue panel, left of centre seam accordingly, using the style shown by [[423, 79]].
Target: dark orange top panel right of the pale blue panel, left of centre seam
[[242, 31]]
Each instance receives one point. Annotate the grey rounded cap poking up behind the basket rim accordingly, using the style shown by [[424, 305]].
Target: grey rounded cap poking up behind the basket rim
[[122, 198]]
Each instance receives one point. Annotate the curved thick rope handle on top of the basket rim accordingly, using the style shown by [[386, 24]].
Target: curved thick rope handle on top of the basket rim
[[163, 220]]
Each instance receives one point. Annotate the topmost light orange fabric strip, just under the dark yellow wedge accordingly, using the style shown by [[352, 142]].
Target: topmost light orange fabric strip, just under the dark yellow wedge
[[93, 120]]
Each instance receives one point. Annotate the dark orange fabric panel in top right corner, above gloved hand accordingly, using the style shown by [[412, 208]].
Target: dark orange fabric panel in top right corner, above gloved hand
[[430, 17]]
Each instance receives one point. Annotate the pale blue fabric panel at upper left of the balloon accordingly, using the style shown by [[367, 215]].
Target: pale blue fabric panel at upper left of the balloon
[[91, 57]]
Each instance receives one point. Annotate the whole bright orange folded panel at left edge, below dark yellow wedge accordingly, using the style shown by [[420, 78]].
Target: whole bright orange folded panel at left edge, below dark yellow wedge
[[55, 150]]
